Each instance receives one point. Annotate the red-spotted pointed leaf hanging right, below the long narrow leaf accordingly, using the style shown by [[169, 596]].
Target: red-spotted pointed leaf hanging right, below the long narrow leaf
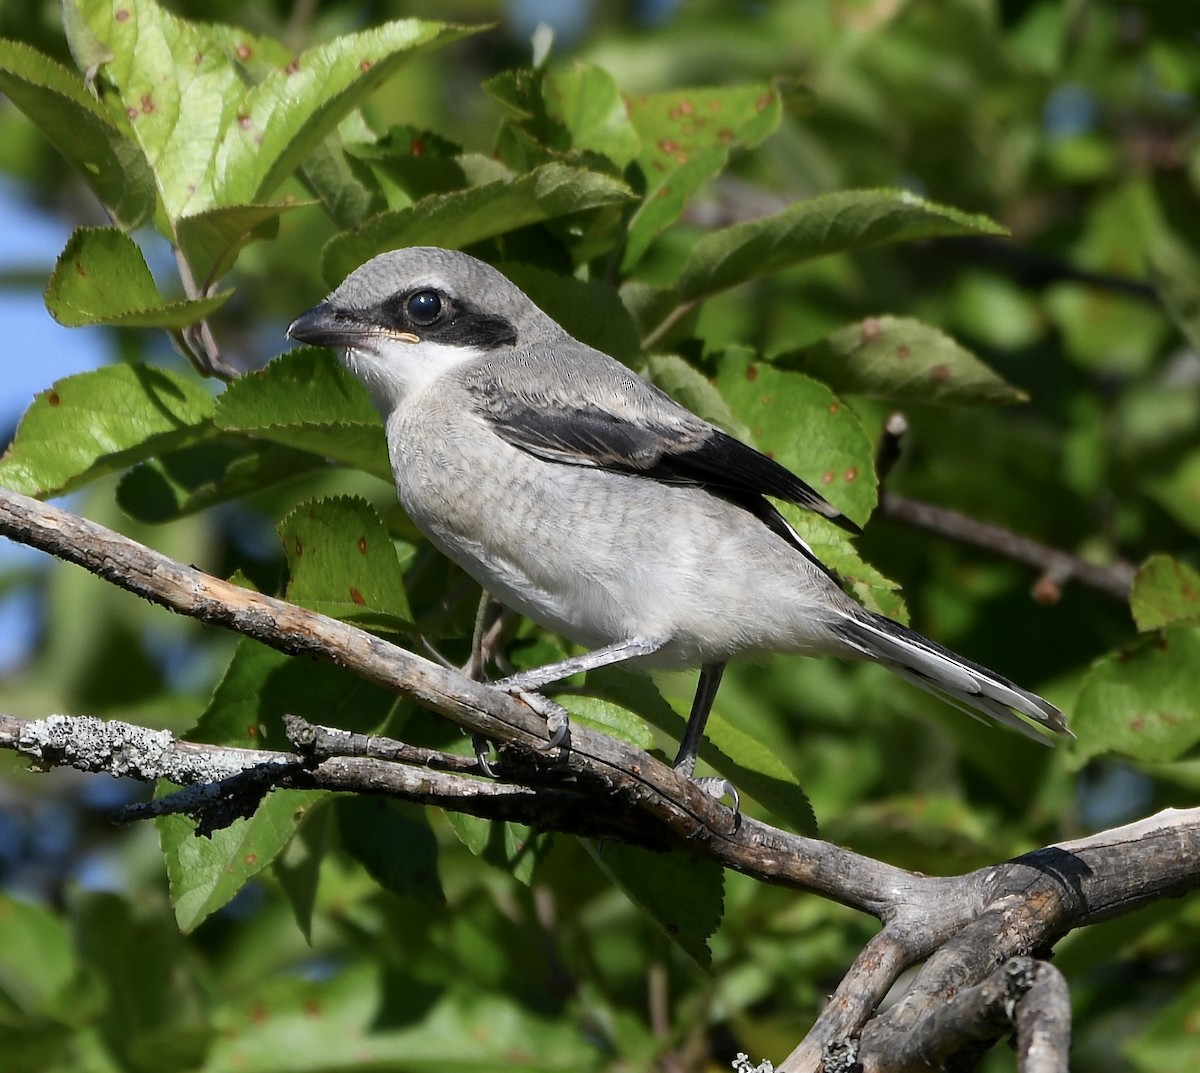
[[902, 361]]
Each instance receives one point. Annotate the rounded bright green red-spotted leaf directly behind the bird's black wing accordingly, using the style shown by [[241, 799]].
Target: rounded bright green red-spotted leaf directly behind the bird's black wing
[[802, 425]]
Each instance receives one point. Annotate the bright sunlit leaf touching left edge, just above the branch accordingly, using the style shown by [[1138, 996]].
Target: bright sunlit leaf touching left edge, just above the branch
[[98, 423]]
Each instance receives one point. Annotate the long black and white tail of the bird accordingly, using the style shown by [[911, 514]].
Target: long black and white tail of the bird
[[940, 672]]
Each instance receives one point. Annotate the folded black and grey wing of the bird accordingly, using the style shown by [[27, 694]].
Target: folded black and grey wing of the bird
[[686, 452]]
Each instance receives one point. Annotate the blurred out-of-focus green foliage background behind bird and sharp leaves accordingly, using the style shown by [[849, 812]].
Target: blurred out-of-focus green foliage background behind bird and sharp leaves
[[1072, 124]]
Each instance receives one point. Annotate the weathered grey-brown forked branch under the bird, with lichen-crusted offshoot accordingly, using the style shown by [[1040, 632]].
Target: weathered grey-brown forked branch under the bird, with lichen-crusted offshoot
[[964, 928]]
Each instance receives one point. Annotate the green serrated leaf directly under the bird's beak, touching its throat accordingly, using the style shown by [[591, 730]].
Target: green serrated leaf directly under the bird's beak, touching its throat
[[307, 400]]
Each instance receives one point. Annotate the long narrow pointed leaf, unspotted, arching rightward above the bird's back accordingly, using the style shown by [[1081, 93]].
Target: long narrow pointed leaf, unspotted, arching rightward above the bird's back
[[831, 224]]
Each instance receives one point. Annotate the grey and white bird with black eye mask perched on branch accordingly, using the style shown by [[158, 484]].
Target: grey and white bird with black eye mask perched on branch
[[581, 496]]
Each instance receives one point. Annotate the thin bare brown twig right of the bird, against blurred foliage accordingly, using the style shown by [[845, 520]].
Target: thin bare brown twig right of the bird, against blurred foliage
[[1059, 567]]
